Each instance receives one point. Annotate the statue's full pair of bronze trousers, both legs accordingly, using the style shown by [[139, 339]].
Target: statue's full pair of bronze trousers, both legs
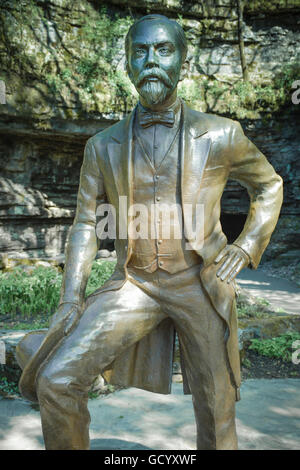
[[115, 320]]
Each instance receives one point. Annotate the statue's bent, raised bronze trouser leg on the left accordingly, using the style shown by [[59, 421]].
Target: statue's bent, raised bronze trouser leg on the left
[[115, 321]]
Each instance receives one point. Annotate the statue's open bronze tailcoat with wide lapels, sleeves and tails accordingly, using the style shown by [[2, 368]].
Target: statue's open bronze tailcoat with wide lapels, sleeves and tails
[[213, 150]]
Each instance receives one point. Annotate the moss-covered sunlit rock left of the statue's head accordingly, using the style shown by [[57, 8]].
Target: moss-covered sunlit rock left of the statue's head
[[84, 66]]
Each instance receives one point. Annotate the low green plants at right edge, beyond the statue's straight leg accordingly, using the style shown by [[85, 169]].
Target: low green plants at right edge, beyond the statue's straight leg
[[279, 347]]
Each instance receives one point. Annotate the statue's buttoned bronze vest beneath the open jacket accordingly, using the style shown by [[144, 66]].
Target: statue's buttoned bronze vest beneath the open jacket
[[158, 239]]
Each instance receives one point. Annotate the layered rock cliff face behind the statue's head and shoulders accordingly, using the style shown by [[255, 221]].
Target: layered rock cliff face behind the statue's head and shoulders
[[62, 62]]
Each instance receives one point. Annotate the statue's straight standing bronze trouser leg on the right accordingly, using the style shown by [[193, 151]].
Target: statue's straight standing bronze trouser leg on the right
[[201, 334]]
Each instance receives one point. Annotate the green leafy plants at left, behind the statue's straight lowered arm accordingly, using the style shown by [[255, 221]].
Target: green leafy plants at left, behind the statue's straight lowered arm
[[35, 296]]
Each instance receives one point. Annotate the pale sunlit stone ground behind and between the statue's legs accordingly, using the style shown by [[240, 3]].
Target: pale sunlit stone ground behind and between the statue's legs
[[268, 417]]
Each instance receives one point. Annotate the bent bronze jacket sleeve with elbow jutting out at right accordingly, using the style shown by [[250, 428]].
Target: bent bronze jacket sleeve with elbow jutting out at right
[[251, 169]]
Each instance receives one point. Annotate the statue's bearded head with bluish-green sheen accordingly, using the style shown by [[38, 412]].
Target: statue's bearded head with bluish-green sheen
[[156, 54]]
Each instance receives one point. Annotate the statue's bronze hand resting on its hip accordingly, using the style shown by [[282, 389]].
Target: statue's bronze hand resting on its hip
[[235, 259]]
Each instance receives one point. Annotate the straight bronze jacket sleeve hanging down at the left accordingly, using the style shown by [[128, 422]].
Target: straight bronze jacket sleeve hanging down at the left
[[82, 244]]
